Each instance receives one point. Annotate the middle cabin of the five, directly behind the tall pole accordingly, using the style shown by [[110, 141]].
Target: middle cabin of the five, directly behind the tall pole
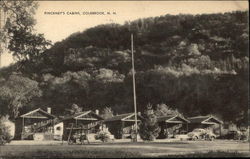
[[121, 125]]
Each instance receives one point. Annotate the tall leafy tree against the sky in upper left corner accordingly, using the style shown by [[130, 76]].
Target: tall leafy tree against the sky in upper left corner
[[18, 31]]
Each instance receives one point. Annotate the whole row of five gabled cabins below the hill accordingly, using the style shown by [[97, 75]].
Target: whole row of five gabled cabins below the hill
[[41, 125]]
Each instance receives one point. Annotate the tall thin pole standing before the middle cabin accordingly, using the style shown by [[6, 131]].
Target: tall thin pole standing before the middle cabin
[[134, 93]]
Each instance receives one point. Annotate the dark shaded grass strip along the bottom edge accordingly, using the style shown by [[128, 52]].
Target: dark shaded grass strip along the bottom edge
[[41, 154]]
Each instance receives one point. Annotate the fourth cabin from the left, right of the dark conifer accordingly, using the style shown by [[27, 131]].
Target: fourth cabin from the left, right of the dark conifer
[[172, 125]]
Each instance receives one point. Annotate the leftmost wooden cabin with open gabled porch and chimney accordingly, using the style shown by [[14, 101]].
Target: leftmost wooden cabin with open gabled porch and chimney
[[30, 123]]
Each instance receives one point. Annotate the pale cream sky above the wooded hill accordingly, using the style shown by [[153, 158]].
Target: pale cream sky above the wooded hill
[[58, 27]]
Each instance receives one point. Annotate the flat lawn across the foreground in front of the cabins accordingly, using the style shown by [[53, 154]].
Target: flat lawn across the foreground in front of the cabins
[[127, 150]]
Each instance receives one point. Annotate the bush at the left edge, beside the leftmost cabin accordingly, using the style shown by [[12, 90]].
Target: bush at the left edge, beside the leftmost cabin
[[5, 136]]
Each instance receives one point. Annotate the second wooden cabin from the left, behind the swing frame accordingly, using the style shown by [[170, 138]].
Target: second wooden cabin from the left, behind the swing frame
[[86, 122]]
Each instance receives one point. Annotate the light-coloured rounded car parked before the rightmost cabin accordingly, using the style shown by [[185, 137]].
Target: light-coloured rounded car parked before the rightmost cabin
[[201, 134]]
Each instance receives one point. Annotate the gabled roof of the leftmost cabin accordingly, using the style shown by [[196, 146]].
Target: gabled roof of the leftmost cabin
[[38, 113]]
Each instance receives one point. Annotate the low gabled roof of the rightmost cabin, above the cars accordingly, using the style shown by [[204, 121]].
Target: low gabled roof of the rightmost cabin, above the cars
[[204, 119]]
